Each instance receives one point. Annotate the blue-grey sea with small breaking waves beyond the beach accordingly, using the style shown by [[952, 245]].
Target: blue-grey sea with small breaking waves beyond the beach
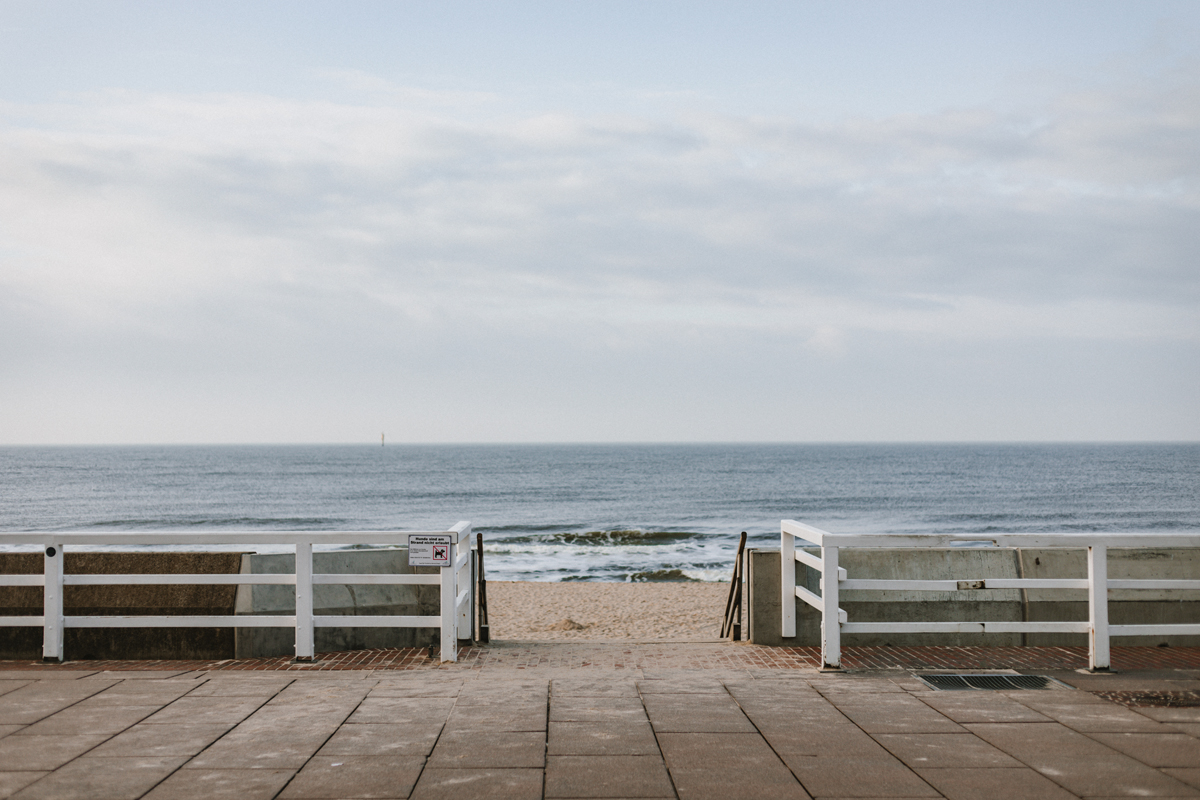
[[605, 513]]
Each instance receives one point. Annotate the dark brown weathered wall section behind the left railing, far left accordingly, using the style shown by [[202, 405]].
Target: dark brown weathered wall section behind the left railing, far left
[[89, 601]]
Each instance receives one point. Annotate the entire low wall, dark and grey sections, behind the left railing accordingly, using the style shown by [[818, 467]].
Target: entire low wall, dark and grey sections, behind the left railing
[[209, 600]]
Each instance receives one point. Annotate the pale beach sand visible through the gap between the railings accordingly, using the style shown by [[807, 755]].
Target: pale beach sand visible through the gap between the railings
[[675, 612]]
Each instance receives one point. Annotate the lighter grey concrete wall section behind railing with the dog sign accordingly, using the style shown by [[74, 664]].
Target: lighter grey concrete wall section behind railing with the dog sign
[[337, 600]]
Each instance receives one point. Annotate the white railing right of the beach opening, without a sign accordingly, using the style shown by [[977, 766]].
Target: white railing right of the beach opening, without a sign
[[835, 621]]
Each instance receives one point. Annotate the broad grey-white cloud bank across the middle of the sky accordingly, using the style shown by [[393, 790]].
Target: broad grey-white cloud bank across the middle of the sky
[[415, 227]]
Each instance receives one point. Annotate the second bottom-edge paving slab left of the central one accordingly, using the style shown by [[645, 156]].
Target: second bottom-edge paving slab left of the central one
[[355, 777]]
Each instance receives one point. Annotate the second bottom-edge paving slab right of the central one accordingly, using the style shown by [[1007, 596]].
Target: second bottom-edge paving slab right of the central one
[[849, 778]]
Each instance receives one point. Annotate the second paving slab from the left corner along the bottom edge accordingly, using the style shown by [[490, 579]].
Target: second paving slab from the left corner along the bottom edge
[[103, 779]]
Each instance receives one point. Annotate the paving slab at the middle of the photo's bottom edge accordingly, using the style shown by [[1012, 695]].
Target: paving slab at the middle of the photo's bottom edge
[[607, 777]]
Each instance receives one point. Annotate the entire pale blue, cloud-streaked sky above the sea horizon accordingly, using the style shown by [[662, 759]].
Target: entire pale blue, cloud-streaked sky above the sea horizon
[[651, 221]]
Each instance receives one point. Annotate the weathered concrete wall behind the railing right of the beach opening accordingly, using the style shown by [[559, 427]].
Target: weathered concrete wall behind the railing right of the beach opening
[[1130, 607]]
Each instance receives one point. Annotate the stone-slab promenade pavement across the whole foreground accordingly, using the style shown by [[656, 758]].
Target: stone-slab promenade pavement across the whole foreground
[[565, 721]]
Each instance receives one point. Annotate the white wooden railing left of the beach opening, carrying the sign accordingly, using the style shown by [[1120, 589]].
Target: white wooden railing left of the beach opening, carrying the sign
[[457, 597]]
